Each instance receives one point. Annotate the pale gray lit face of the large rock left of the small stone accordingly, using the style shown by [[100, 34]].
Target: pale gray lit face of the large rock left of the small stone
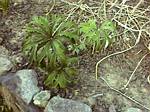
[[28, 86]]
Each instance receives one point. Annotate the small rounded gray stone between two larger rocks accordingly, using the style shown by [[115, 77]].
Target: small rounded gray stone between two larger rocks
[[41, 98]]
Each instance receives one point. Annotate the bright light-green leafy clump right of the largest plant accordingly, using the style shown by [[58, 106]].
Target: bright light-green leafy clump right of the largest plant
[[95, 36]]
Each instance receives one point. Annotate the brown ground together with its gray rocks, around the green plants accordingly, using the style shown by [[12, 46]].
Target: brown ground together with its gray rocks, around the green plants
[[22, 84]]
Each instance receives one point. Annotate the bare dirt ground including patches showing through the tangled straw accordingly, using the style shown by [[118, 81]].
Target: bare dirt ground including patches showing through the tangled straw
[[115, 71]]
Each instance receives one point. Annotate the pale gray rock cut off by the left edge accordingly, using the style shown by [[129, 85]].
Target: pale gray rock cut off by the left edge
[[5, 65]]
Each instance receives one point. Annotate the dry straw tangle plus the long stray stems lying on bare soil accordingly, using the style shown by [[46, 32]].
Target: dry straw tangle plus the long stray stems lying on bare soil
[[133, 26]]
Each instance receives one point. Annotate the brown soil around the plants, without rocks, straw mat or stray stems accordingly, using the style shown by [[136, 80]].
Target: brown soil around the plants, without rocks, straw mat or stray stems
[[116, 70]]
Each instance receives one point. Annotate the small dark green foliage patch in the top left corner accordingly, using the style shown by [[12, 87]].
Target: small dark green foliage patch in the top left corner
[[4, 5]]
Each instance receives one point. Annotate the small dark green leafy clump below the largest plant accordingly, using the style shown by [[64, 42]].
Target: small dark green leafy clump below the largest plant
[[62, 75]]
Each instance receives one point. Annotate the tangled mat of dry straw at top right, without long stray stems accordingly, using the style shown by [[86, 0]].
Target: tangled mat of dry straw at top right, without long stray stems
[[130, 19]]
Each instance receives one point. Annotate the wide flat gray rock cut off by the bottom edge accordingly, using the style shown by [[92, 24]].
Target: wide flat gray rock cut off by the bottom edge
[[58, 104]]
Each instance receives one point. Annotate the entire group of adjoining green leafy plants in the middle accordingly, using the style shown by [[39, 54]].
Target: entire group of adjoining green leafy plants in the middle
[[49, 40]]
